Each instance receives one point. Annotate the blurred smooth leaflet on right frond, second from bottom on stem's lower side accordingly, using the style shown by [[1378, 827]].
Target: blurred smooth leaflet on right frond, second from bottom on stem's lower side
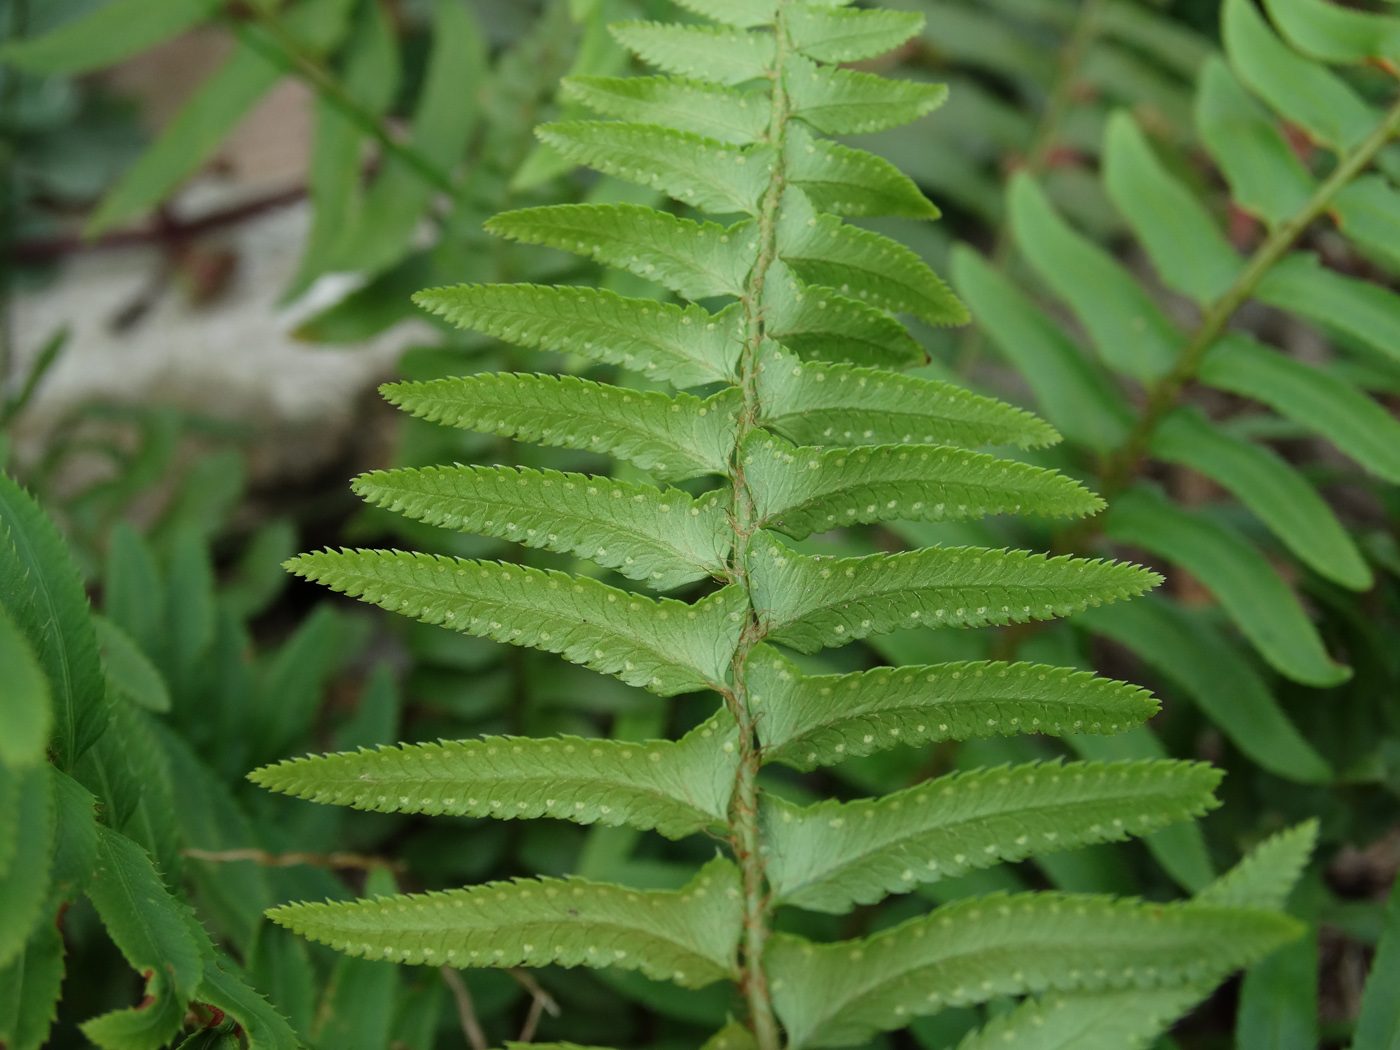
[[1241, 577]]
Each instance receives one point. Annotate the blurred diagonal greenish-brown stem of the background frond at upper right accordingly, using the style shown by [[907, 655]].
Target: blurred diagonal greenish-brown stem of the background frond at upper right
[[1164, 395]]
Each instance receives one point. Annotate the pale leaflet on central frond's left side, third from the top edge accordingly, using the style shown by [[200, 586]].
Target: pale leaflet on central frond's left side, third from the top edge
[[688, 106]]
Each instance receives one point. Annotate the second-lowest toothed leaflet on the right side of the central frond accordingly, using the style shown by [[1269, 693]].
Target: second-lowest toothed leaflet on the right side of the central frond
[[834, 856]]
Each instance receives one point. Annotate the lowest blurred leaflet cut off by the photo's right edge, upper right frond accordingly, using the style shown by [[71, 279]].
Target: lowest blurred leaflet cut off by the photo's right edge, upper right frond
[[1311, 397]]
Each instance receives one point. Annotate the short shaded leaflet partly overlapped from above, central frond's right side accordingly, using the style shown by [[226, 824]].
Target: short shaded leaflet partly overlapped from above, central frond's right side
[[821, 324]]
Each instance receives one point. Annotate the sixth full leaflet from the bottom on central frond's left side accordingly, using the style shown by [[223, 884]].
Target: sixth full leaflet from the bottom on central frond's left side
[[685, 346]]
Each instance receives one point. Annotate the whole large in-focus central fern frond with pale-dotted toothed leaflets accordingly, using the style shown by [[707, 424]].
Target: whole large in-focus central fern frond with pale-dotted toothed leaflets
[[810, 432]]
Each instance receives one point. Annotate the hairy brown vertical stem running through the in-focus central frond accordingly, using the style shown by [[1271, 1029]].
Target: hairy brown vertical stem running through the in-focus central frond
[[744, 817]]
